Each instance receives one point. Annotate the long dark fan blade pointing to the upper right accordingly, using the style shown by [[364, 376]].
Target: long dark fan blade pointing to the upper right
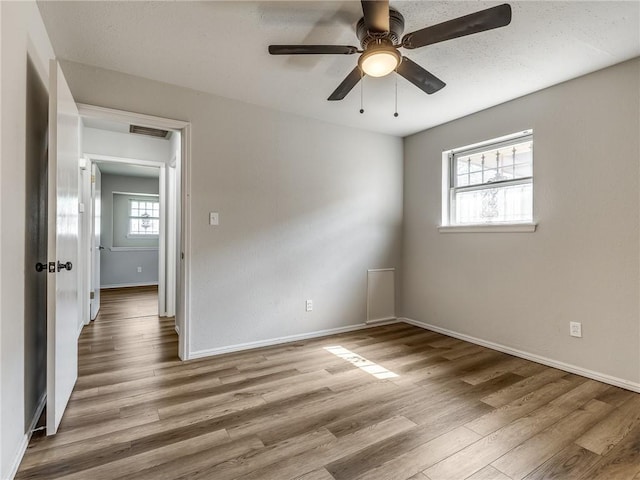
[[488, 19]]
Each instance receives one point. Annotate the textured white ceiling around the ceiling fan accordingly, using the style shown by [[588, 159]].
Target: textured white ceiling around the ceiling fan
[[221, 48]]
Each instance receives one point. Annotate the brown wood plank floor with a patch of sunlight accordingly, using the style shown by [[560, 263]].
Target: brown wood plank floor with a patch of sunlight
[[430, 407]]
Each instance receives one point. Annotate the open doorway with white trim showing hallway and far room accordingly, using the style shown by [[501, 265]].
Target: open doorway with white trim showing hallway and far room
[[131, 226]]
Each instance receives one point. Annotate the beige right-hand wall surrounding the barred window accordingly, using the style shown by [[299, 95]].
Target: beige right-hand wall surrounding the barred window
[[582, 264]]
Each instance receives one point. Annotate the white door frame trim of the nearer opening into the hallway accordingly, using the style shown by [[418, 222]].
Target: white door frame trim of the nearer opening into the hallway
[[183, 284]]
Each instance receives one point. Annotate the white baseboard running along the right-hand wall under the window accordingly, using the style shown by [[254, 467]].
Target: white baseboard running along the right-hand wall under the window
[[601, 377]]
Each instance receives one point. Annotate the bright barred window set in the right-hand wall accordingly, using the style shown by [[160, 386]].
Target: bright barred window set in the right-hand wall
[[490, 183]]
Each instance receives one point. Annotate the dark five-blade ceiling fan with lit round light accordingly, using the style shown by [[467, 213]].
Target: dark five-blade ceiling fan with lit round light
[[379, 32]]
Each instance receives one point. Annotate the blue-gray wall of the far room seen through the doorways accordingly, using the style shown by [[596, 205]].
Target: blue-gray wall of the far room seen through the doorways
[[120, 267]]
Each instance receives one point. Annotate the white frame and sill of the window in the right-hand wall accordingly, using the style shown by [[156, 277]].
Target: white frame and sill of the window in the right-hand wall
[[449, 188]]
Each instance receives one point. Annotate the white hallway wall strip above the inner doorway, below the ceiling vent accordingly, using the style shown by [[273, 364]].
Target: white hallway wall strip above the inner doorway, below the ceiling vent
[[125, 145]]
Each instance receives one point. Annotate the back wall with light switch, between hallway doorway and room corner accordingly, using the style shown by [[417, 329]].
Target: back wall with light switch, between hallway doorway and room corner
[[305, 209]]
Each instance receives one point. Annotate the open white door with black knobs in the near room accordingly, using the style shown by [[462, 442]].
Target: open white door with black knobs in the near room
[[63, 313]]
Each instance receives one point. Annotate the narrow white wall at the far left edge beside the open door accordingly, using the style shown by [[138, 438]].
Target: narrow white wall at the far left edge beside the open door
[[21, 32]]
